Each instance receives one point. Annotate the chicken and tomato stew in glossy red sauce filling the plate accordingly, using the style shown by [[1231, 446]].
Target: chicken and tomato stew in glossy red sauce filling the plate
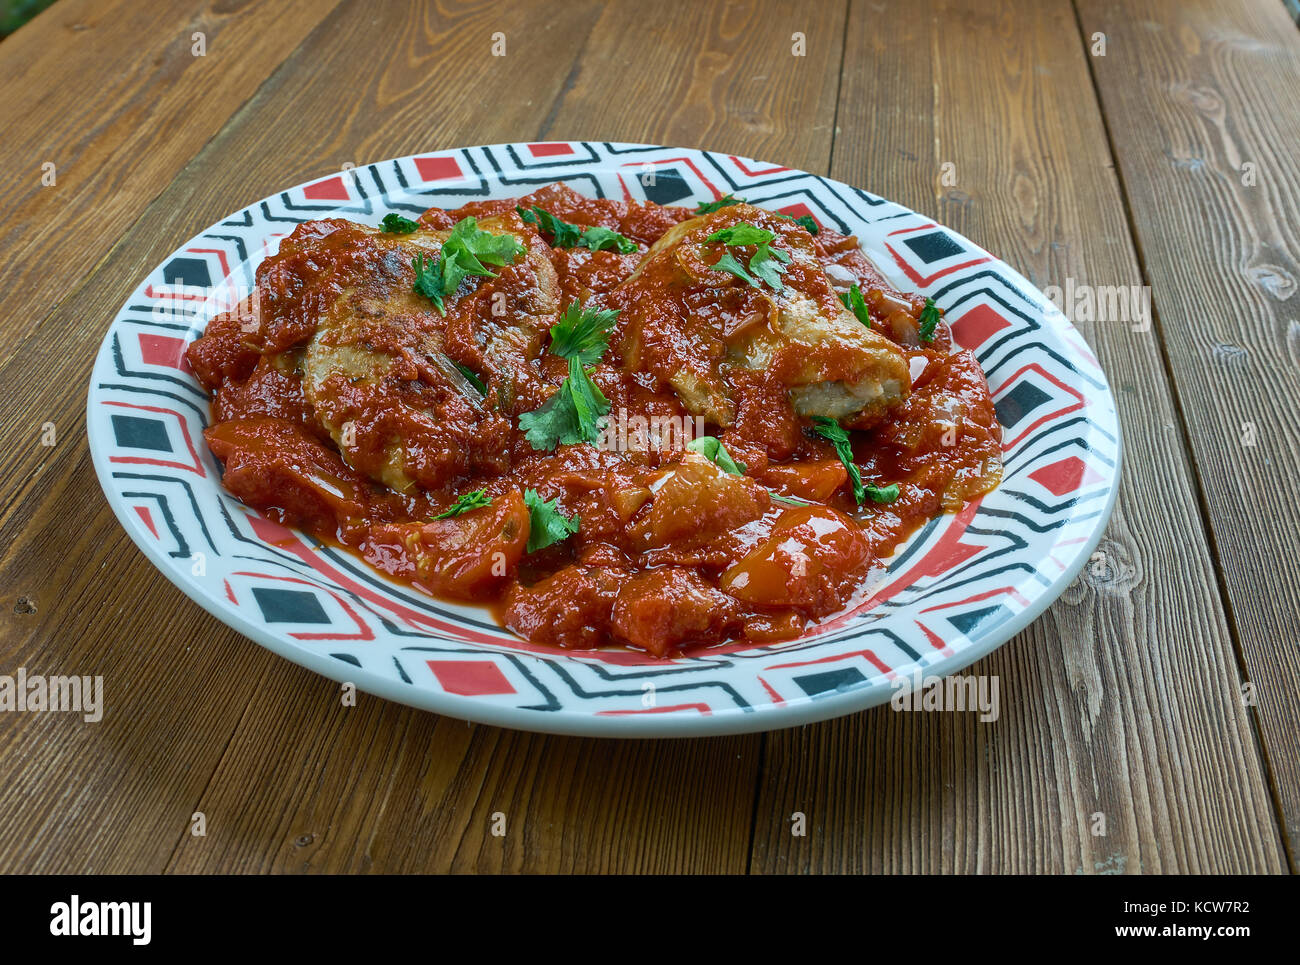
[[340, 405]]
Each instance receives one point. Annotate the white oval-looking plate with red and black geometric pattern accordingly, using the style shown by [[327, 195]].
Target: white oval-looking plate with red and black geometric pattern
[[957, 590]]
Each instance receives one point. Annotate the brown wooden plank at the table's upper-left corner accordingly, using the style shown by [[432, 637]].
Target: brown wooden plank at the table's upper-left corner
[[114, 97]]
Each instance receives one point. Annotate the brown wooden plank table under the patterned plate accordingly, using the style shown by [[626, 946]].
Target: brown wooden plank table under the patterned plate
[[1171, 161]]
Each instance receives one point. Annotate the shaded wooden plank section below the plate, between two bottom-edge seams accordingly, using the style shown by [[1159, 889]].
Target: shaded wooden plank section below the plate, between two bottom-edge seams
[[311, 786]]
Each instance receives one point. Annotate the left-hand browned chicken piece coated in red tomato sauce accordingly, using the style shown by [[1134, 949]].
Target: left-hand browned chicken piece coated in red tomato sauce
[[379, 377]]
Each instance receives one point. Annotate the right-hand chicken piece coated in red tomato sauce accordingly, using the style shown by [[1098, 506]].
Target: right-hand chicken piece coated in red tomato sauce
[[697, 327]]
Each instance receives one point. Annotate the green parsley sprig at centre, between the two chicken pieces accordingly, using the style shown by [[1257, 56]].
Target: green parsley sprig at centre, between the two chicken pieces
[[574, 413]]
